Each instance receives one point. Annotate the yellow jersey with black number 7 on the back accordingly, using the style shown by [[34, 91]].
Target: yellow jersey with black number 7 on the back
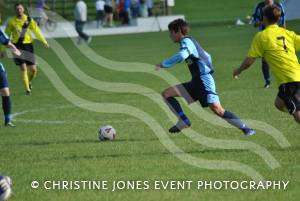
[[278, 47]]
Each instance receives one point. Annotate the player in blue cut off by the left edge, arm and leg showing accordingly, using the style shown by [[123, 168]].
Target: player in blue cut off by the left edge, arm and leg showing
[[4, 90]]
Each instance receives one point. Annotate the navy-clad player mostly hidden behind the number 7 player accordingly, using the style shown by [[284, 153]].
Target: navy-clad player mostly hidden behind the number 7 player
[[257, 21]]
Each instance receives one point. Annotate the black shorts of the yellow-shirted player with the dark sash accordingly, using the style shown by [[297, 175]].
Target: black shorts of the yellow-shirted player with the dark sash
[[27, 55]]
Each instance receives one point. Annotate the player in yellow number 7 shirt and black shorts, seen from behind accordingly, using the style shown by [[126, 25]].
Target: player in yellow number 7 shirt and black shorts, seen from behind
[[281, 57]]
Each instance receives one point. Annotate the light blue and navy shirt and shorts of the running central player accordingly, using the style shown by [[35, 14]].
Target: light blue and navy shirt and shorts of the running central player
[[202, 86]]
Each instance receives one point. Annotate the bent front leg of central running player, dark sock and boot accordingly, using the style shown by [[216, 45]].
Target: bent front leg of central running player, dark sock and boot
[[169, 96]]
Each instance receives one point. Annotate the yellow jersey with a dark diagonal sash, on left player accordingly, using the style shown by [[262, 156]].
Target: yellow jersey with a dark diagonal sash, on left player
[[14, 29]]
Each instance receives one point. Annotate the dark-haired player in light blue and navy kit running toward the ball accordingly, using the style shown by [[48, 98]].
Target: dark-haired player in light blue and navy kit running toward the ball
[[202, 86]]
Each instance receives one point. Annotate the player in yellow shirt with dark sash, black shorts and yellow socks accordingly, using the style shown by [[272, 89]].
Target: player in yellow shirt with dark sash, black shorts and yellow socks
[[19, 28]]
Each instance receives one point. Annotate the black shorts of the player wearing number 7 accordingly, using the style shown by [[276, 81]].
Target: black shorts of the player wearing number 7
[[290, 94]]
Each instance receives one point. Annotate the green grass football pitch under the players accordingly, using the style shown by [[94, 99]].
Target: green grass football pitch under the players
[[56, 133]]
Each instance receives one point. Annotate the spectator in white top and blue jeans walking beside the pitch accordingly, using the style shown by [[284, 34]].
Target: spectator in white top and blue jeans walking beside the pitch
[[80, 20]]
